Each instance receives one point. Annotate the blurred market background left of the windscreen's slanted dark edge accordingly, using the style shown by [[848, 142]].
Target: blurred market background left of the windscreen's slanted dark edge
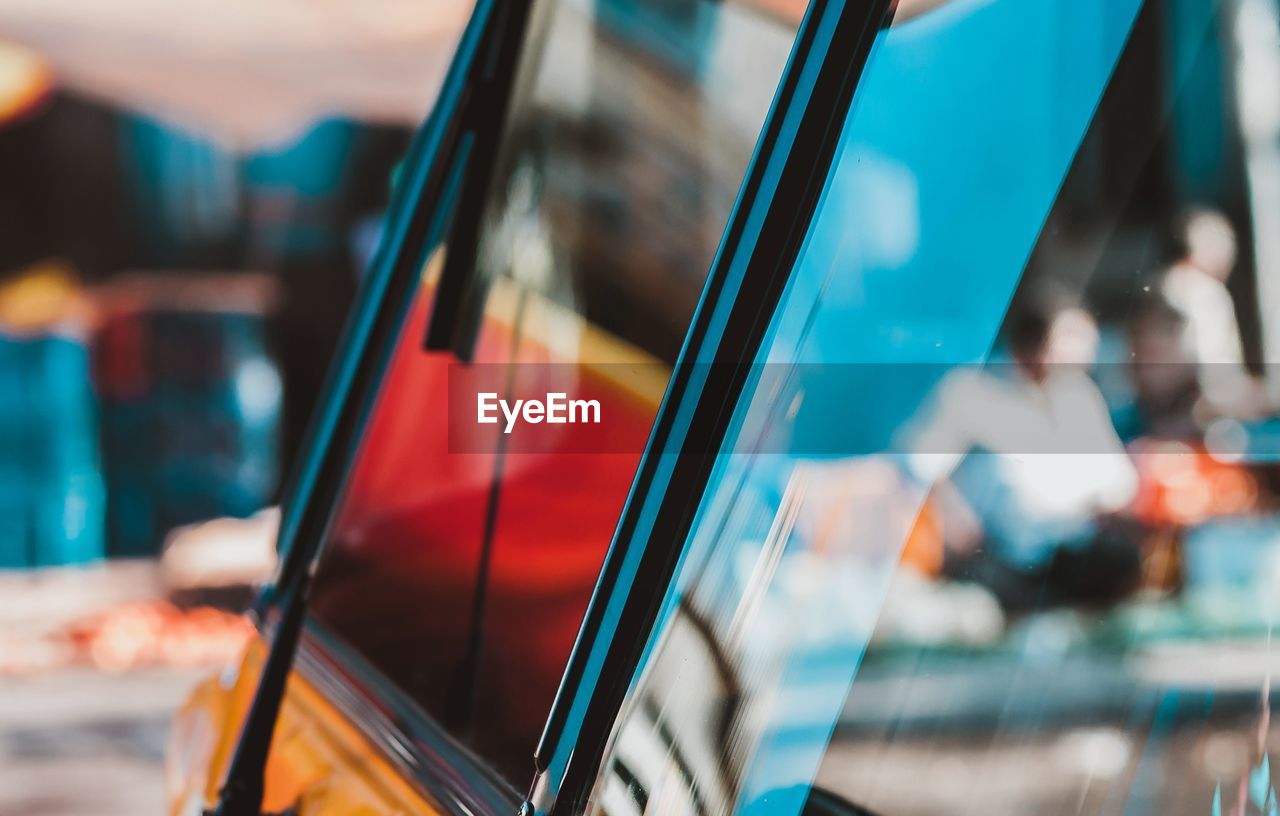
[[189, 195]]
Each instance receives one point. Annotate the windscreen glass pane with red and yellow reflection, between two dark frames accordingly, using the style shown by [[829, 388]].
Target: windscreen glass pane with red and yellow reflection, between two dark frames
[[458, 567]]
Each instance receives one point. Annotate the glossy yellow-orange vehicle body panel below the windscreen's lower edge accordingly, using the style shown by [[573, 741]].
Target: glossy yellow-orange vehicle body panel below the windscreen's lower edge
[[321, 764]]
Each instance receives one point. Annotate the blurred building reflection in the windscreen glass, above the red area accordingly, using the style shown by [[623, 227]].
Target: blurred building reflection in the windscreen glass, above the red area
[[643, 136]]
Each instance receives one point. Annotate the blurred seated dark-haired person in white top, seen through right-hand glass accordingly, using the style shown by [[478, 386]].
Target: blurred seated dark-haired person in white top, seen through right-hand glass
[[1026, 462]]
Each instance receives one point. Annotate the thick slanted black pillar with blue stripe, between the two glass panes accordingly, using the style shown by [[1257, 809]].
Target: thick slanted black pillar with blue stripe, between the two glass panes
[[757, 256]]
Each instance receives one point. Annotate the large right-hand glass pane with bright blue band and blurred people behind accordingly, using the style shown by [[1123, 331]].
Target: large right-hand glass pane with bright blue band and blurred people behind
[[996, 529]]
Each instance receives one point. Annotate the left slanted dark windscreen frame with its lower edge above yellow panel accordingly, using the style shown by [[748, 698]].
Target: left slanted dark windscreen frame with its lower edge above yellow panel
[[420, 219]]
